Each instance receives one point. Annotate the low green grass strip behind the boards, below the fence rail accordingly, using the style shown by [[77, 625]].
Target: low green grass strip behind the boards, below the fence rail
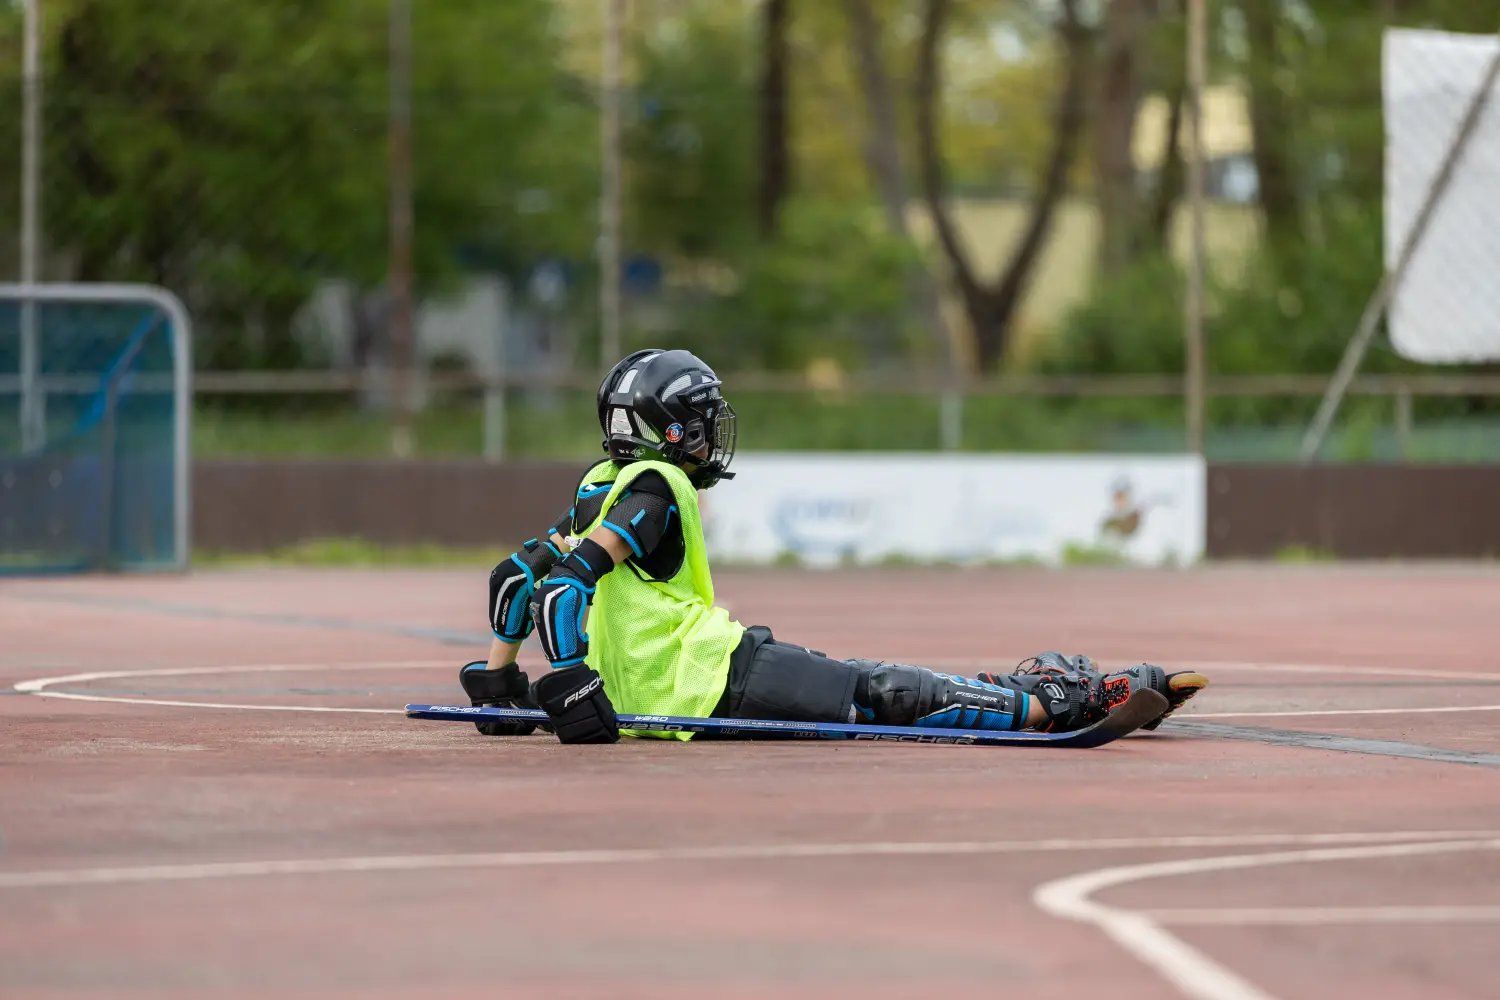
[[563, 428]]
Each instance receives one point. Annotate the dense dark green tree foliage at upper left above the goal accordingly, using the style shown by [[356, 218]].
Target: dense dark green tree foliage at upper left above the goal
[[238, 152]]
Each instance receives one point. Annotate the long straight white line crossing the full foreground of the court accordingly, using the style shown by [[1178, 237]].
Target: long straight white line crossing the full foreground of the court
[[748, 852]]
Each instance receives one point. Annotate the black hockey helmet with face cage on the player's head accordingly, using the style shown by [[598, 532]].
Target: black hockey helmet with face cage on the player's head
[[668, 406]]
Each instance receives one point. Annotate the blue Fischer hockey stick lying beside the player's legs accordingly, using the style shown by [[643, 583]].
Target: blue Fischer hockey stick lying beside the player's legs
[[1142, 708]]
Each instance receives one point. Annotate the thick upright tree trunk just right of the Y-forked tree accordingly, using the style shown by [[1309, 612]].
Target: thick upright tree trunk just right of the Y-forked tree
[[1118, 88]]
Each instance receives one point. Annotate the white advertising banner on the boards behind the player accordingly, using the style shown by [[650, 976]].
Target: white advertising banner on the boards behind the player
[[826, 509]]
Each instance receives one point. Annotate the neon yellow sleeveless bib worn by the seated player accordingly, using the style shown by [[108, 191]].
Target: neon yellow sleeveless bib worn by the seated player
[[661, 645]]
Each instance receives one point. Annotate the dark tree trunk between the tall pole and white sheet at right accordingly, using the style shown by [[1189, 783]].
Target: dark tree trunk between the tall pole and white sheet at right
[[1271, 122]]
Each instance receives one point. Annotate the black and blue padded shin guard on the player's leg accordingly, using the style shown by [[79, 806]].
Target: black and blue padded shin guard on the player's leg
[[899, 695]]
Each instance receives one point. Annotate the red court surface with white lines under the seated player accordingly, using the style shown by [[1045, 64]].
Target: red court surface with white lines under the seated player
[[208, 789]]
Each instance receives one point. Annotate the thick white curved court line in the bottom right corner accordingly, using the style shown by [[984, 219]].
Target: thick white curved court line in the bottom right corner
[[1190, 971]]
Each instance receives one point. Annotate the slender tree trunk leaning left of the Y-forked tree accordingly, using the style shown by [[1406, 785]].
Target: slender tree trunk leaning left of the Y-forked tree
[[883, 154]]
